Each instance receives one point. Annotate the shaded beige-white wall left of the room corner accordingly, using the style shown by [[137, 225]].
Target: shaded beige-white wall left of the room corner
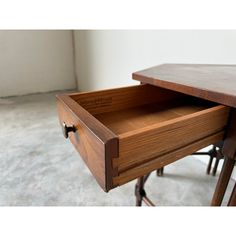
[[35, 61]]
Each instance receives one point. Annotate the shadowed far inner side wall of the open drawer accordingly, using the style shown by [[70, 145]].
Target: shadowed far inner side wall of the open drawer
[[122, 98]]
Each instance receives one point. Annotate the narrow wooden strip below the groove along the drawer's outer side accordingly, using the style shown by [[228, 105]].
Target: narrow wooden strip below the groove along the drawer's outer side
[[166, 159]]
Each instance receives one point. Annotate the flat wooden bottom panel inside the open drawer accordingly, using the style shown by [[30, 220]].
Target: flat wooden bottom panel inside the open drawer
[[127, 120]]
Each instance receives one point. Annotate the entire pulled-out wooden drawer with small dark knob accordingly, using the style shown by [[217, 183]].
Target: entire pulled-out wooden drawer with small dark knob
[[125, 133]]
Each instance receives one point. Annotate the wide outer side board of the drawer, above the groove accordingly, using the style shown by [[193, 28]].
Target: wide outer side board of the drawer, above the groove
[[146, 143]]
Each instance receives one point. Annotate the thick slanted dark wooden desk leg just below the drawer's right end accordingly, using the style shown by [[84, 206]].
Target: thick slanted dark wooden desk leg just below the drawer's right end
[[223, 181]]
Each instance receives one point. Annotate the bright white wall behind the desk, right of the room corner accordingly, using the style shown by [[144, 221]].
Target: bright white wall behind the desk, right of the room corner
[[107, 58]]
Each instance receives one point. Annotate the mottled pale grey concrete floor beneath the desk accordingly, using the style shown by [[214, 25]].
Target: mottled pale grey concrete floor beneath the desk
[[39, 167]]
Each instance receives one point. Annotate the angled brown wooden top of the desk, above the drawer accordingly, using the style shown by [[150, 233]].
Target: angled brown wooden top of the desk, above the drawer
[[216, 83]]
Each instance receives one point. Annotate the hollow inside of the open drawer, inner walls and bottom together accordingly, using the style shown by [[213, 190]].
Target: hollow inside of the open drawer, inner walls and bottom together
[[128, 109]]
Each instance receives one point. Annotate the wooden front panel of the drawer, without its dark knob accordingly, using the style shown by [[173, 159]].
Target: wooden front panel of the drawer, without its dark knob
[[96, 144]]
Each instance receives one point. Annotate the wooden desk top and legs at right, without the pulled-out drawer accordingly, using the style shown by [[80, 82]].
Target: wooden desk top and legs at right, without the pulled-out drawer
[[215, 83]]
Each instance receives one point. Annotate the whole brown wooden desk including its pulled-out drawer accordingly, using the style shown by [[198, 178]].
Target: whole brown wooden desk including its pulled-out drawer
[[125, 133]]
